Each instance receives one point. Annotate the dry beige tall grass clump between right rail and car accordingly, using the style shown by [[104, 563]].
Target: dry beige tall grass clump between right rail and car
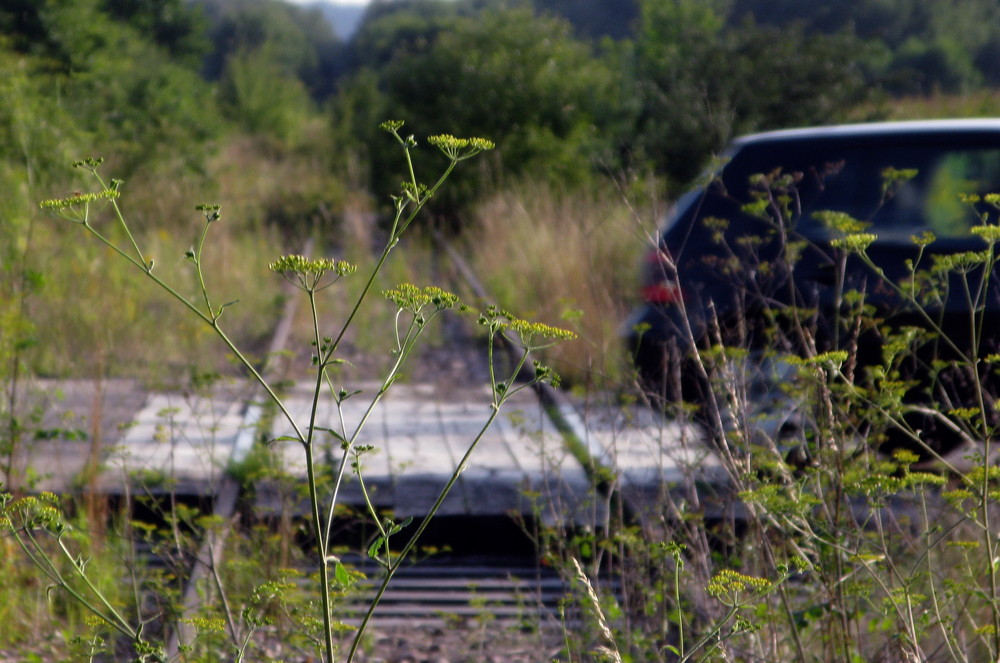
[[568, 257]]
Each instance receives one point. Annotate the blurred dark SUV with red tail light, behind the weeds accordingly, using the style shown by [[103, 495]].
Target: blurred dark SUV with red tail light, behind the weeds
[[751, 259]]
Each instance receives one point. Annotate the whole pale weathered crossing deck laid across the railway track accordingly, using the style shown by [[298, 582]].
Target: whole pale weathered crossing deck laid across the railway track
[[418, 434]]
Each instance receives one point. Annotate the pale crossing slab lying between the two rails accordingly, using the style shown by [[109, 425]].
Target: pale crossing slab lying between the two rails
[[417, 439]]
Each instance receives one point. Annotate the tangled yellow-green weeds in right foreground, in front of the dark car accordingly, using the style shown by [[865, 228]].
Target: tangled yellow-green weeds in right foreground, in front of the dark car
[[799, 534]]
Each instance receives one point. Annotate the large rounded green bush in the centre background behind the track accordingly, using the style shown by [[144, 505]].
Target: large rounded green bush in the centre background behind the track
[[519, 78]]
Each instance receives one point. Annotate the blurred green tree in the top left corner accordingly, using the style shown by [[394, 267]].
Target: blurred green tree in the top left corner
[[124, 89]]
